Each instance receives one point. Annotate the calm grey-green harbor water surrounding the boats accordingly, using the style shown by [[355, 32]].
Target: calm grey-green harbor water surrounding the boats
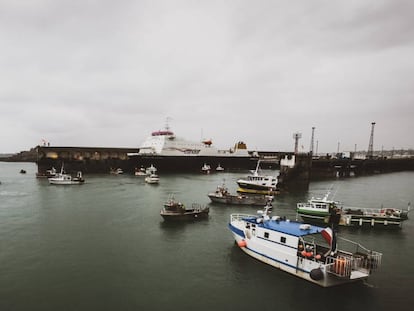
[[104, 246]]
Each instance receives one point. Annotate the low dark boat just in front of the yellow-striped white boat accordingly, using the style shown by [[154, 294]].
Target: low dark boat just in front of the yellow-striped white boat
[[222, 195]]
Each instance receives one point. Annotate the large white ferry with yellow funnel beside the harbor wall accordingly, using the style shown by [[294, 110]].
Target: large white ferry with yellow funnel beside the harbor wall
[[168, 152]]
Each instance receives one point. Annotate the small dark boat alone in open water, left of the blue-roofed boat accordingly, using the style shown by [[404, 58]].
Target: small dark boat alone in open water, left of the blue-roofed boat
[[174, 210]]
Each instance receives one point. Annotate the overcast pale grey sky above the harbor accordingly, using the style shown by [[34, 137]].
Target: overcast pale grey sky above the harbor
[[107, 73]]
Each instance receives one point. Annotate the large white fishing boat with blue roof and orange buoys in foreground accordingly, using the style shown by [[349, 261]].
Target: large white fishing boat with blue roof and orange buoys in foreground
[[304, 250]]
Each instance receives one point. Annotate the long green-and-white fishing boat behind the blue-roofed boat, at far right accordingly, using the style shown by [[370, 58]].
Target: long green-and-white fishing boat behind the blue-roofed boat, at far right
[[326, 211]]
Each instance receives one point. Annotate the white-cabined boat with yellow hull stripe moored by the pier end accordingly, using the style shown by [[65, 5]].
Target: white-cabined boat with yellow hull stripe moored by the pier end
[[257, 183]]
